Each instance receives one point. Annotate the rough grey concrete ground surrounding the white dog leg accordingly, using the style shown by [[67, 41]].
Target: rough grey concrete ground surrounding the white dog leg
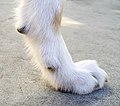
[[91, 29]]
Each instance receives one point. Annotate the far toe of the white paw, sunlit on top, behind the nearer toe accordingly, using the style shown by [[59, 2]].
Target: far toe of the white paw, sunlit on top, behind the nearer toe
[[99, 74]]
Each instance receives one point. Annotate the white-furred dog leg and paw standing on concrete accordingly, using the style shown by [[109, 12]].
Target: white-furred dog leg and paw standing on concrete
[[47, 48]]
